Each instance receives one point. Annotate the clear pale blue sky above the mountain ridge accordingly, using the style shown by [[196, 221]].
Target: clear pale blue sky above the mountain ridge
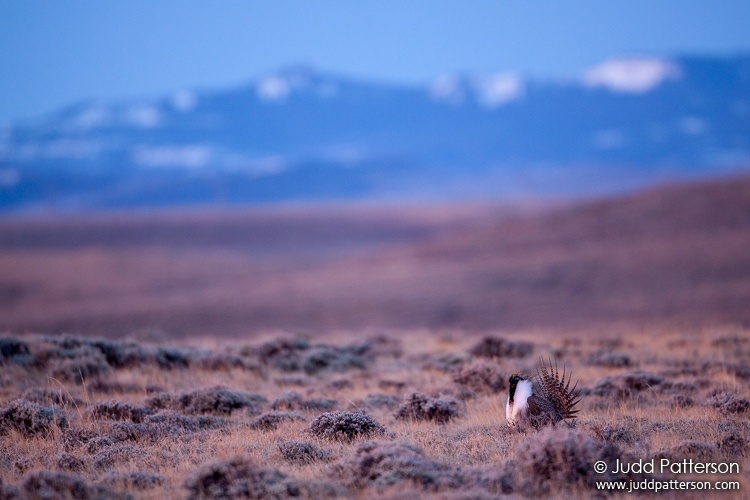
[[53, 53]]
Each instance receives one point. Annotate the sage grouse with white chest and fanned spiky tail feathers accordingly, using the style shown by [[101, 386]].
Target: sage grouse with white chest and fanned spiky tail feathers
[[556, 399]]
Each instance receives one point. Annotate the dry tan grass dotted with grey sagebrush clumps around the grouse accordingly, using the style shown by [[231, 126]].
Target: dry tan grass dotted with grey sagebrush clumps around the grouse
[[414, 414]]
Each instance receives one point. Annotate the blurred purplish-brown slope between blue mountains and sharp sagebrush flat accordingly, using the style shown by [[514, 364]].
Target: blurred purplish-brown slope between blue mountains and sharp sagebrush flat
[[666, 256]]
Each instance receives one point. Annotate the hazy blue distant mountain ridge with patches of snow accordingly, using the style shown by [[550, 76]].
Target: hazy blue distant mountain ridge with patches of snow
[[300, 135]]
